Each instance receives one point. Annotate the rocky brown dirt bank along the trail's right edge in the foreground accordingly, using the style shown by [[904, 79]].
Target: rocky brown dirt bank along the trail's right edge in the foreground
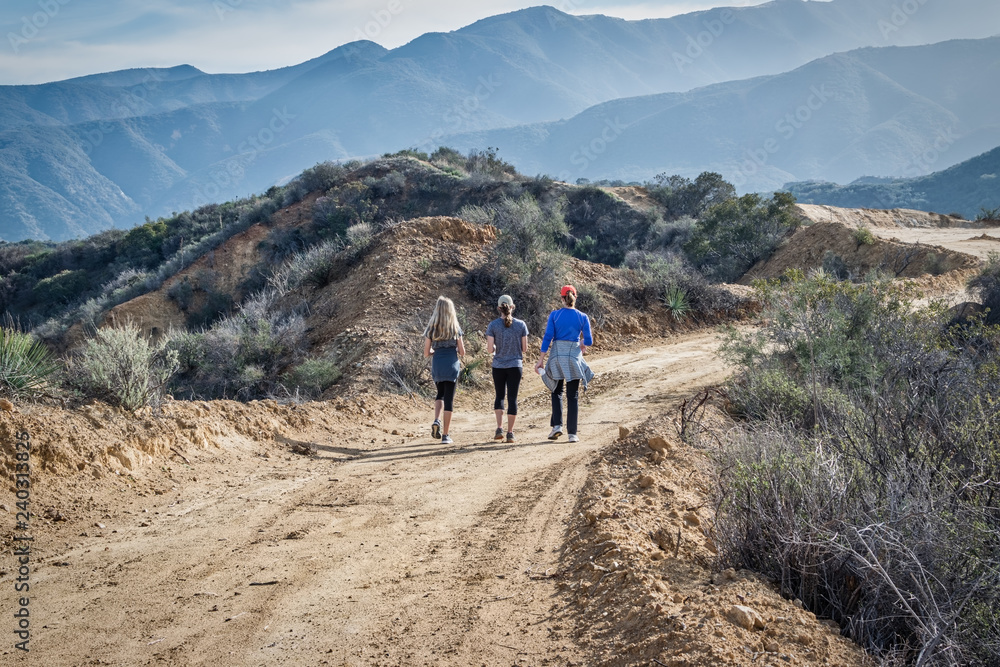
[[640, 569]]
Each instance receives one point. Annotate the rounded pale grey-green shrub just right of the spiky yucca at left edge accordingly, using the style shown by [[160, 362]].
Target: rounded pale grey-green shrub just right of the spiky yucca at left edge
[[119, 366]]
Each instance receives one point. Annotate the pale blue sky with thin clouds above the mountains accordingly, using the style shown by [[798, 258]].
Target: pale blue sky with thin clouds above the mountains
[[50, 40]]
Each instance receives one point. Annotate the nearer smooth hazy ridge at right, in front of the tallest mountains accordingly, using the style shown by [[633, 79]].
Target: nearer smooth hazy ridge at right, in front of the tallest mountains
[[899, 111]]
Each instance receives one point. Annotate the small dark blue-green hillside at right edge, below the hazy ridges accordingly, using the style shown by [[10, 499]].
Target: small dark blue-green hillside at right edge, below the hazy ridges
[[967, 189]]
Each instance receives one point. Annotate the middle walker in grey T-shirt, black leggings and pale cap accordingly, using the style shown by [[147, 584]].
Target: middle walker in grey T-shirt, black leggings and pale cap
[[507, 341]]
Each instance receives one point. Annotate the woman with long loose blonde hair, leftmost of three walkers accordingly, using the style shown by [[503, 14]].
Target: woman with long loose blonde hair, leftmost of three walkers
[[443, 341]]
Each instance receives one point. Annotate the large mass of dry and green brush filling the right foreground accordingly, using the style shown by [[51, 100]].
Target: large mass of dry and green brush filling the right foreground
[[863, 477]]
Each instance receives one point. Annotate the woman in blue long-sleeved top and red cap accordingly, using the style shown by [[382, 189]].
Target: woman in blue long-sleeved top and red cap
[[568, 334]]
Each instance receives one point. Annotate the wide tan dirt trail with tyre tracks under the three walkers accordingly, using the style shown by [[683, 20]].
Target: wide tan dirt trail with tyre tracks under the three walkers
[[398, 551]]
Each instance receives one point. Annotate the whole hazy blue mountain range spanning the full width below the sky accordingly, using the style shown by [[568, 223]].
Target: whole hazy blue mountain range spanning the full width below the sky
[[85, 154]]
